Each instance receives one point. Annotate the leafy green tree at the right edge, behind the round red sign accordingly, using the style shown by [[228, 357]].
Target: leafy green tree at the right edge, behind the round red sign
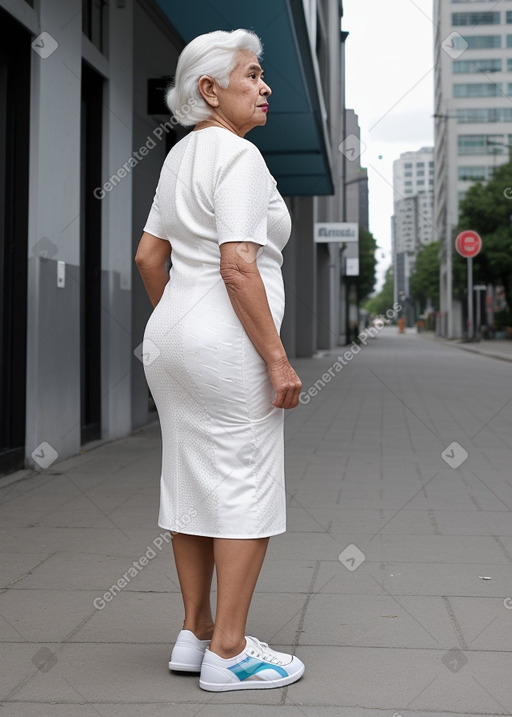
[[488, 210]]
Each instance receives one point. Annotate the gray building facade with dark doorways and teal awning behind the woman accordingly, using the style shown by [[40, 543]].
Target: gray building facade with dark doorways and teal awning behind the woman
[[83, 134]]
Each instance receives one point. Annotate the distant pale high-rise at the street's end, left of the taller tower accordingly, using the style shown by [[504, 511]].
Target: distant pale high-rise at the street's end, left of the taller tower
[[412, 221]]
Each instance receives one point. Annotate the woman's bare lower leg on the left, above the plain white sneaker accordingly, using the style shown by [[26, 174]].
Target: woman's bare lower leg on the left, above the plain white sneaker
[[193, 555]]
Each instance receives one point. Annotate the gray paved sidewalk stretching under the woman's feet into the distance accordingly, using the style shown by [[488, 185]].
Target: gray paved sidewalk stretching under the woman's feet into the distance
[[393, 582]]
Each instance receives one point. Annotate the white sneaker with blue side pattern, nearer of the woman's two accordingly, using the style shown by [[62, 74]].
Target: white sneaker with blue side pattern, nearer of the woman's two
[[256, 667]]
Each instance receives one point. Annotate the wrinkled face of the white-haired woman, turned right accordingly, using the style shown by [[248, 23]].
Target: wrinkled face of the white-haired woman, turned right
[[244, 102]]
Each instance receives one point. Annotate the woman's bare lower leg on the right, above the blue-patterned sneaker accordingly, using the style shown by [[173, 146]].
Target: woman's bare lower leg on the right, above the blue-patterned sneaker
[[238, 564]]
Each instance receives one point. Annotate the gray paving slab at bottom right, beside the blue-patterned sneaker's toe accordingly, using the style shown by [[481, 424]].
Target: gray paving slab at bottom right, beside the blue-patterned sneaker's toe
[[405, 680]]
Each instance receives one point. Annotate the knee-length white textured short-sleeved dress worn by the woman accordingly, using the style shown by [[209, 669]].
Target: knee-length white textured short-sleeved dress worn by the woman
[[222, 440]]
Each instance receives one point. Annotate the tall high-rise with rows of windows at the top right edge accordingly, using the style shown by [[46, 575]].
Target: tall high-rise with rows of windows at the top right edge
[[473, 112]]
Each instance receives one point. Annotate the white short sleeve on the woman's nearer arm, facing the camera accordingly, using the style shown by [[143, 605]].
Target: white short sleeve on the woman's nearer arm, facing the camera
[[241, 197]]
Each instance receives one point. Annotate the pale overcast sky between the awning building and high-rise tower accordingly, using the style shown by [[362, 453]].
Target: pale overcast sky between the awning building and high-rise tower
[[390, 85]]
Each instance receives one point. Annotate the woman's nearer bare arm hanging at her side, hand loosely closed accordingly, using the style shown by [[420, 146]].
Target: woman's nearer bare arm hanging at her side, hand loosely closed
[[239, 270]]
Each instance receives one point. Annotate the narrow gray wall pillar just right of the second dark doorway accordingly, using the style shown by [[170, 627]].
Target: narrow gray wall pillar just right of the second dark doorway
[[117, 259]]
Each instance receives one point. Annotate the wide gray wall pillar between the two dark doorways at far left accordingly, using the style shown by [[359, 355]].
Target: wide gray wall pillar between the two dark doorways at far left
[[53, 325]]
